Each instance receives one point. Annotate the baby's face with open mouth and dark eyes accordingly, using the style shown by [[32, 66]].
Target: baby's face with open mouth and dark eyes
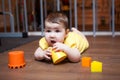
[[54, 33]]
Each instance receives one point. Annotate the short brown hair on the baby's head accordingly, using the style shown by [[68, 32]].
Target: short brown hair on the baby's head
[[58, 17]]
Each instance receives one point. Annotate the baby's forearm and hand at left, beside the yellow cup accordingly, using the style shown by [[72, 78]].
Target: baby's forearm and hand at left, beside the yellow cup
[[42, 54]]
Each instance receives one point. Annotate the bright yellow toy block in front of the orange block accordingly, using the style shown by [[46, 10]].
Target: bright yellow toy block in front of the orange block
[[96, 66]]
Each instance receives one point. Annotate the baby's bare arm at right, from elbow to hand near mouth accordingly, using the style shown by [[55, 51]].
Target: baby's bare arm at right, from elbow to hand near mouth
[[73, 54]]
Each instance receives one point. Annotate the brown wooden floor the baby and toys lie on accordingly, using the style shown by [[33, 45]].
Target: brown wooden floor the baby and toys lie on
[[104, 49]]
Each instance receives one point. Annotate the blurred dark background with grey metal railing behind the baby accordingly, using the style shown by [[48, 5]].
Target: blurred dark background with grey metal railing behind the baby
[[25, 18]]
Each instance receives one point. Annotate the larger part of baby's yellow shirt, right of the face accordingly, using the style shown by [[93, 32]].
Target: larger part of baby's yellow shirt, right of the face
[[75, 40]]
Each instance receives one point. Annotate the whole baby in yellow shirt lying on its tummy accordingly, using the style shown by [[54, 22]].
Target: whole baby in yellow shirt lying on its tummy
[[58, 36]]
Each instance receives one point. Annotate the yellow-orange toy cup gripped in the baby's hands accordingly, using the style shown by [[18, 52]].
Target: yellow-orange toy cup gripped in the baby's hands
[[57, 56]]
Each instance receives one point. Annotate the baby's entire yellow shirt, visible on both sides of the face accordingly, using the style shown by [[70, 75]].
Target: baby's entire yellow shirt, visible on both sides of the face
[[73, 40]]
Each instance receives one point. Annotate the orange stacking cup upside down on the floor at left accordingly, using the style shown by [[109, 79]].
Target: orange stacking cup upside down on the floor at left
[[16, 59]]
